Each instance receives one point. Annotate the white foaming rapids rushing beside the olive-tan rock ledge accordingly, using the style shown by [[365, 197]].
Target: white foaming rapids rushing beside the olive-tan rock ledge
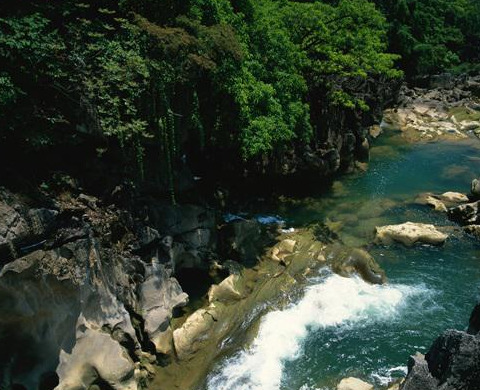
[[334, 301]]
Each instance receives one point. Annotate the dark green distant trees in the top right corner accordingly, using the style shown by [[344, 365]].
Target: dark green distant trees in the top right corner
[[434, 35]]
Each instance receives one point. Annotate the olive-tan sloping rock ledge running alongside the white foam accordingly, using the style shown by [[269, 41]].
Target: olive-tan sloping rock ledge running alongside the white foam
[[237, 302]]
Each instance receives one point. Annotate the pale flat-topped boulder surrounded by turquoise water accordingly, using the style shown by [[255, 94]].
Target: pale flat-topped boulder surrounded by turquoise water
[[410, 233]]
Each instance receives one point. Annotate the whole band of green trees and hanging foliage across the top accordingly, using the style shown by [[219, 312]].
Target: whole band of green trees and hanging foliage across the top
[[182, 77]]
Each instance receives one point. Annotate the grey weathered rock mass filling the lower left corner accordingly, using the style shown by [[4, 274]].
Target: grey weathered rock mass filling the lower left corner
[[86, 293]]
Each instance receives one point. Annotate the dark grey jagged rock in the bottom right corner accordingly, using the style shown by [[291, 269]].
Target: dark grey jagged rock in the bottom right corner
[[451, 363]]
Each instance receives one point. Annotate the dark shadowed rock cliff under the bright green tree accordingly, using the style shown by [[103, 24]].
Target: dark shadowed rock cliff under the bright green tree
[[341, 134]]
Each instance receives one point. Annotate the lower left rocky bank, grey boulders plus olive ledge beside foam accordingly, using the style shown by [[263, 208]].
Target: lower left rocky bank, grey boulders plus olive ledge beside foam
[[89, 298]]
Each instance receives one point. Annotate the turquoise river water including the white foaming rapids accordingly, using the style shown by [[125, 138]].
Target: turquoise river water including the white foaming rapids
[[345, 327]]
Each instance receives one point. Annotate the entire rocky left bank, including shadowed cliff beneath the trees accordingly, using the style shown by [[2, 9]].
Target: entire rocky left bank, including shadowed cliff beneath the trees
[[92, 276]]
